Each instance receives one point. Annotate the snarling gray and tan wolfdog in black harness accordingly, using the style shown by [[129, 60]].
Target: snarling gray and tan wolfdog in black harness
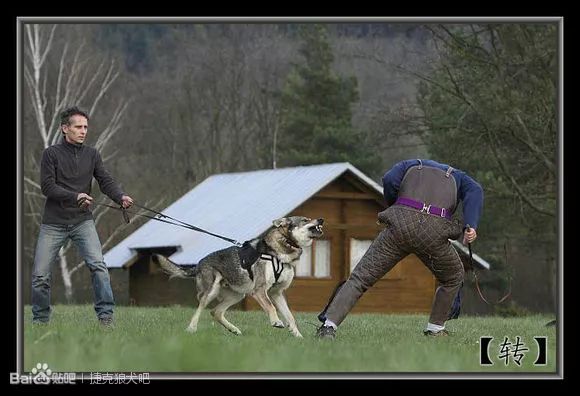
[[263, 267]]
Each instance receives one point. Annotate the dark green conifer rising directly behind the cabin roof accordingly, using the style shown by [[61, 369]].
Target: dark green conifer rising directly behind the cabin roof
[[316, 109]]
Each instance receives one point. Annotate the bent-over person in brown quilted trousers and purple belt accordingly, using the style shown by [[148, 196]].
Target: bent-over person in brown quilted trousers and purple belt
[[422, 195]]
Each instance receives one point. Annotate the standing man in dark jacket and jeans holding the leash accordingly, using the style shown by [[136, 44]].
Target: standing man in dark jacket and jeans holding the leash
[[66, 173]]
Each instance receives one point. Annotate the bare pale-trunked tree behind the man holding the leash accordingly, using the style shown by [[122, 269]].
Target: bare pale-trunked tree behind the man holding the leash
[[58, 75]]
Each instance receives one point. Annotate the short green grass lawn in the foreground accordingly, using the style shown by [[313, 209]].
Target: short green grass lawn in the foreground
[[155, 340]]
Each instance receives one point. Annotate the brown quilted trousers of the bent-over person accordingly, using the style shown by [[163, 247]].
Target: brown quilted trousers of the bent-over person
[[408, 231]]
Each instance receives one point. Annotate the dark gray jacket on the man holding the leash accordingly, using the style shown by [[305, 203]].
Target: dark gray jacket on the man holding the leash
[[66, 170]]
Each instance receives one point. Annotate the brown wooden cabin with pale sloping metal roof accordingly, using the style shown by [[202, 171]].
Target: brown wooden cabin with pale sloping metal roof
[[243, 206]]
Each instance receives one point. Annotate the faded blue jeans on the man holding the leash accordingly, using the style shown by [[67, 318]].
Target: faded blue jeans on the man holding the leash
[[50, 239]]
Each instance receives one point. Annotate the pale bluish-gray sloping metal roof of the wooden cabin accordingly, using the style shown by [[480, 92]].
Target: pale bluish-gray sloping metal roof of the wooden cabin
[[240, 206]]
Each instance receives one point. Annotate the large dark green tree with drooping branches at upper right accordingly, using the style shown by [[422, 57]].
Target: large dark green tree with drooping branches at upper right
[[518, 128]]
